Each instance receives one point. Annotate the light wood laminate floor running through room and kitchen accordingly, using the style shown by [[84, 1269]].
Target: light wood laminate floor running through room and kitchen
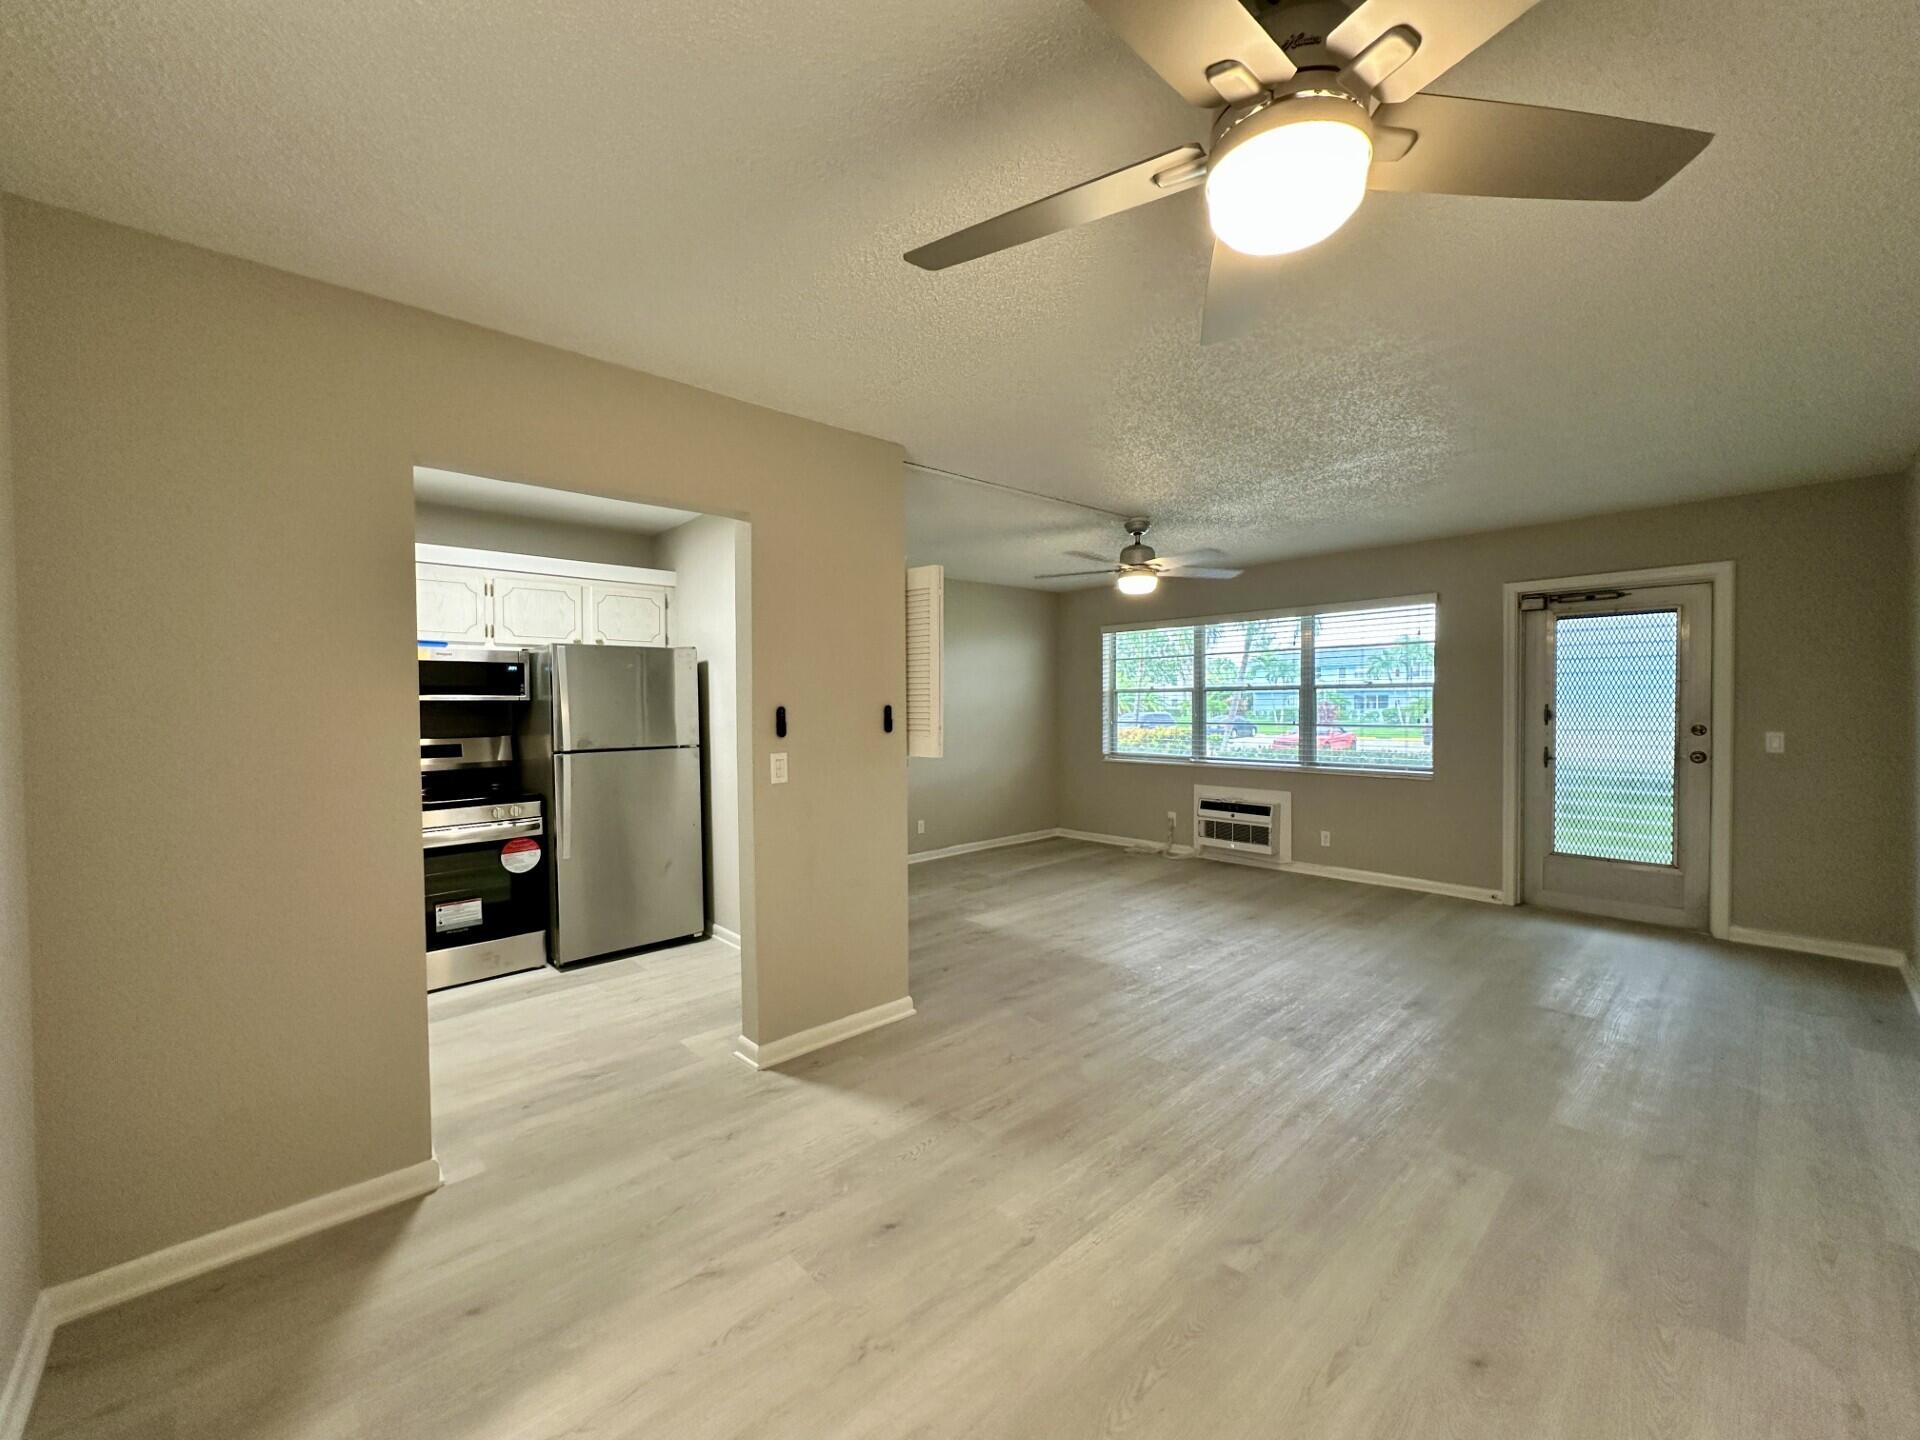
[[1174, 1149]]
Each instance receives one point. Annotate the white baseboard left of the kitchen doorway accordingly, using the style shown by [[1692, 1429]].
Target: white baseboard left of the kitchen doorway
[[251, 1237]]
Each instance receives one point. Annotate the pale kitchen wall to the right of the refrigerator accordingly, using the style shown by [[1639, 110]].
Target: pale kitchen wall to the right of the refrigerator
[[711, 562]]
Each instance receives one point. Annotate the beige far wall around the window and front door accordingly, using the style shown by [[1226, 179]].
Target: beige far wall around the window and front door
[[1821, 834]]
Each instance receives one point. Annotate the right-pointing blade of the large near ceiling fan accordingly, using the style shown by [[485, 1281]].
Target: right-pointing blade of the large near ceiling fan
[[1529, 153]]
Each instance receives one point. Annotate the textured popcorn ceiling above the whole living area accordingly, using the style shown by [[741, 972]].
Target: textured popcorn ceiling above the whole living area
[[721, 193]]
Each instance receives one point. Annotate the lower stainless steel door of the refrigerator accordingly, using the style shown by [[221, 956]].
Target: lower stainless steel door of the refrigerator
[[627, 852]]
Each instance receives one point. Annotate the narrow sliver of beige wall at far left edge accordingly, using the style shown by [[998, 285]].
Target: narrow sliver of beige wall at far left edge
[[20, 1222]]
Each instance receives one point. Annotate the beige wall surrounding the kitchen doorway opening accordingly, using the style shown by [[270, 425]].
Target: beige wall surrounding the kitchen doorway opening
[[214, 466]]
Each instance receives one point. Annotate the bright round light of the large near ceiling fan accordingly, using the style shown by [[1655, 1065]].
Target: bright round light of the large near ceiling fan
[[1289, 176]]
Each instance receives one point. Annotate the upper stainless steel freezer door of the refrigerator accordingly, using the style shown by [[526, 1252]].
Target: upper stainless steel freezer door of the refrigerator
[[613, 698]]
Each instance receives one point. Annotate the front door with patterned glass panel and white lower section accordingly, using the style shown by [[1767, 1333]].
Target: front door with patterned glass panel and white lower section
[[1620, 736]]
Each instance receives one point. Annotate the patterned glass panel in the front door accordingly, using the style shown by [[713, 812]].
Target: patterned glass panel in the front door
[[1616, 681]]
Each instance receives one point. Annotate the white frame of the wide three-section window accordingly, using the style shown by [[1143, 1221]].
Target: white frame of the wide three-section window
[[1307, 690]]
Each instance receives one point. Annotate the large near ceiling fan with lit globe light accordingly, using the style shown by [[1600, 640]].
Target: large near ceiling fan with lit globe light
[[1320, 103]]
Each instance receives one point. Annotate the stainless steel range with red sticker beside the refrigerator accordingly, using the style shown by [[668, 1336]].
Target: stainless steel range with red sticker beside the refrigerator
[[485, 859]]
